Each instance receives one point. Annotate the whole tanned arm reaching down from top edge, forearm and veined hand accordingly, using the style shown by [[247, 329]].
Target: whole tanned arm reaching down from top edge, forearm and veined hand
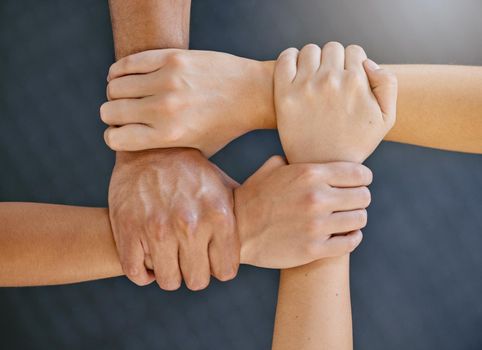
[[149, 216]]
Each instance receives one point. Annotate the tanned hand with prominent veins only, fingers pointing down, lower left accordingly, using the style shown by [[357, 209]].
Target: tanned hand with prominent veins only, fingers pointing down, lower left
[[175, 208]]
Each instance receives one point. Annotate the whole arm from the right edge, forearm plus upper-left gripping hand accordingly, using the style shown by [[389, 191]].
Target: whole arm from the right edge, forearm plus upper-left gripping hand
[[438, 106]]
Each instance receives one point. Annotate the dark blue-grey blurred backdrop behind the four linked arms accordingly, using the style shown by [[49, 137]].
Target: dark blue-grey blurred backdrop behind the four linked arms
[[417, 278]]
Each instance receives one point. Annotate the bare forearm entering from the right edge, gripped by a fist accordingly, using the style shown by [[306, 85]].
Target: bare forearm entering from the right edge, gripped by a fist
[[438, 106]]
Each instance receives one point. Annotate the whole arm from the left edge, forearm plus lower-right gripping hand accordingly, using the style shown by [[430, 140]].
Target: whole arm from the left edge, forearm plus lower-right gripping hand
[[45, 244]]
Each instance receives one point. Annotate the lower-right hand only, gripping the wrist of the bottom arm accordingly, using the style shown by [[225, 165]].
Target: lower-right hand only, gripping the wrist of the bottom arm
[[291, 215]]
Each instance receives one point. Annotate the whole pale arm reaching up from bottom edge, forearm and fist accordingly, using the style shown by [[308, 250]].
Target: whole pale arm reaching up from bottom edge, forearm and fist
[[314, 309]]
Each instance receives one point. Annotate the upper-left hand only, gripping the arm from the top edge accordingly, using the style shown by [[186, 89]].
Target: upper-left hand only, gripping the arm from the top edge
[[186, 98]]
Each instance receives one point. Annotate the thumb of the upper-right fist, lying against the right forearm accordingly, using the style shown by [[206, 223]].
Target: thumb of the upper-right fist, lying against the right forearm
[[384, 86]]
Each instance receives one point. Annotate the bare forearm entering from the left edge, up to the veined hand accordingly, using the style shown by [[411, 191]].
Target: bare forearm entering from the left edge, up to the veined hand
[[44, 244]]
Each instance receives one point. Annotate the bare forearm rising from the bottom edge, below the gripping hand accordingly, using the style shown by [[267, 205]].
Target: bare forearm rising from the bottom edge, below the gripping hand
[[314, 310]]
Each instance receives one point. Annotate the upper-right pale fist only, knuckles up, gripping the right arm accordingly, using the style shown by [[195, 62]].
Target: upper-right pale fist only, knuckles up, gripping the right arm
[[333, 102]]
